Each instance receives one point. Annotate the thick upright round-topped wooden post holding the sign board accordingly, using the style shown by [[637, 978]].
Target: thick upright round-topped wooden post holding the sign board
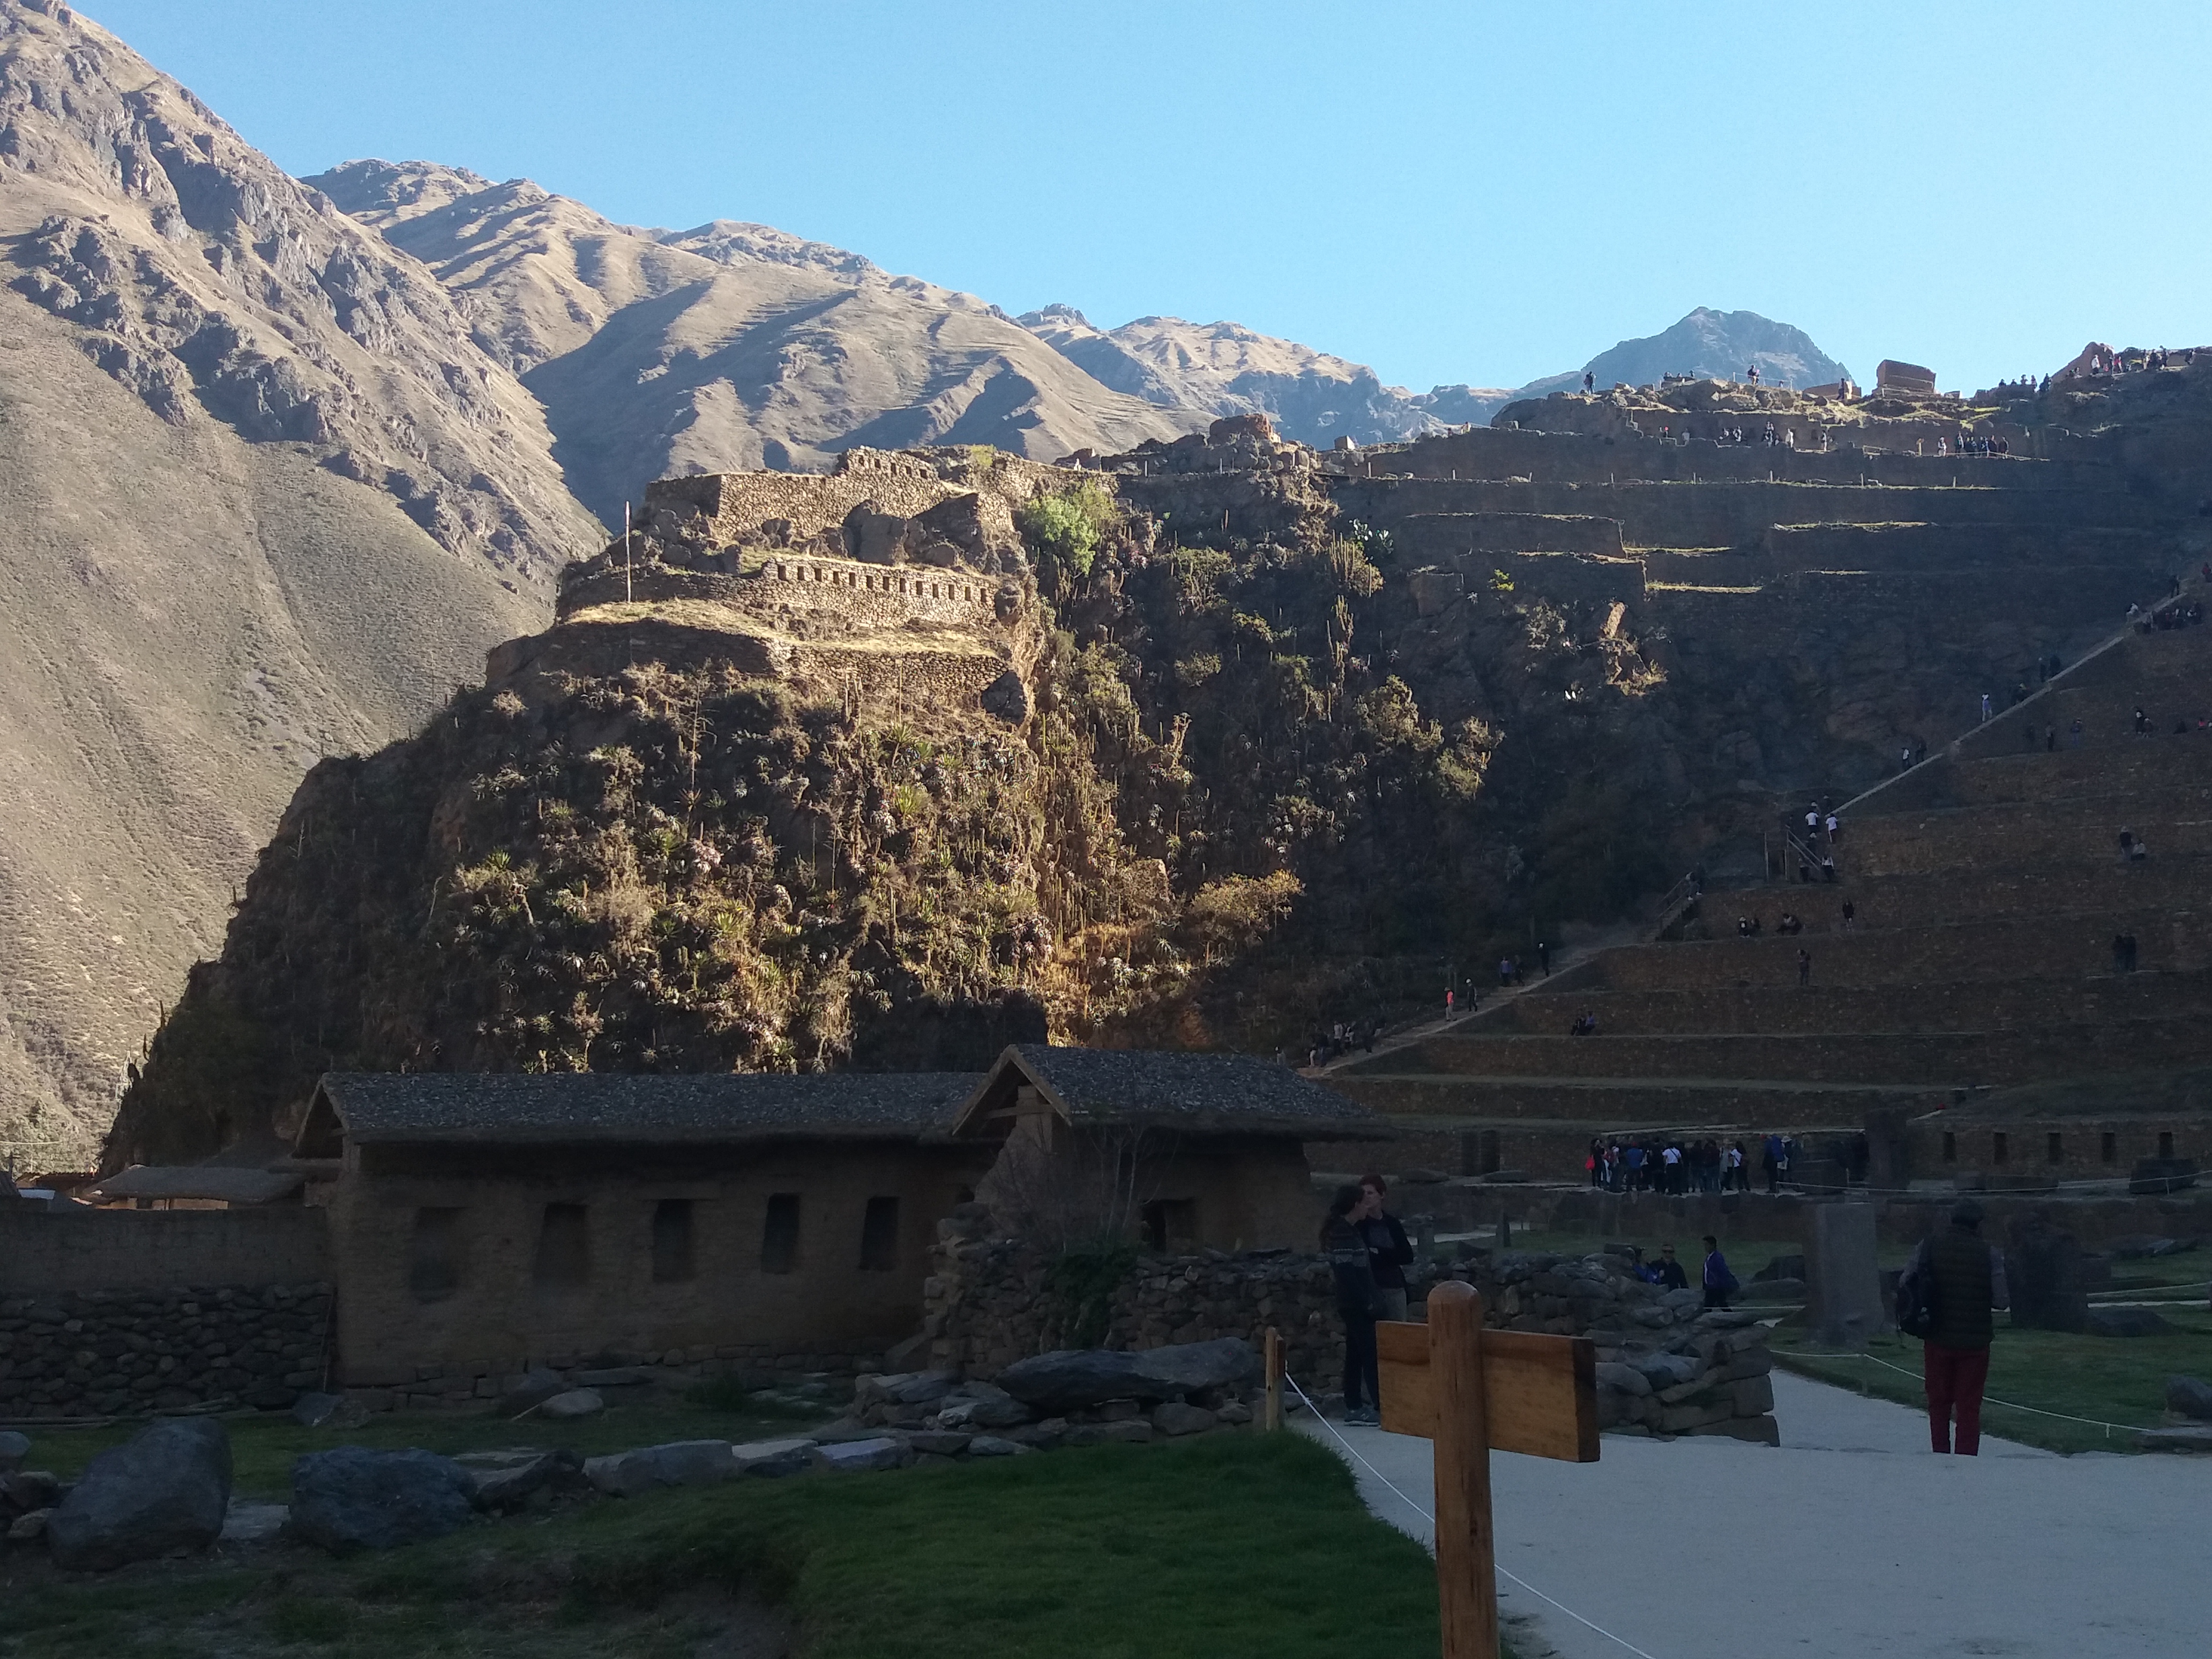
[[1465, 1547]]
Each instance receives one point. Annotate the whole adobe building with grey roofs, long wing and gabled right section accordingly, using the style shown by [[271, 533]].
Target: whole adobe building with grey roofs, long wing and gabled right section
[[483, 1222]]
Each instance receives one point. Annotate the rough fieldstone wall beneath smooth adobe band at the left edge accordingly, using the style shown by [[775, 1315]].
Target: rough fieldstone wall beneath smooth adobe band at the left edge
[[109, 1353]]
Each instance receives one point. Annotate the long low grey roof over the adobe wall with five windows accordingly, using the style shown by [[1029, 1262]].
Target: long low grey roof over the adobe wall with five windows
[[543, 1109]]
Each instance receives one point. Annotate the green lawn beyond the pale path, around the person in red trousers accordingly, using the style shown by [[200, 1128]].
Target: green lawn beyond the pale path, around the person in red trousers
[[2089, 1377]]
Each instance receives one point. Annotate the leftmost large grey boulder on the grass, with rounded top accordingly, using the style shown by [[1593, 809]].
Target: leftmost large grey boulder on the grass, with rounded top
[[165, 1490]]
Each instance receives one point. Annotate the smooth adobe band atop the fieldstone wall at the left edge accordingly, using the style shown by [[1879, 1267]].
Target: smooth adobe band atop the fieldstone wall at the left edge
[[94, 1251]]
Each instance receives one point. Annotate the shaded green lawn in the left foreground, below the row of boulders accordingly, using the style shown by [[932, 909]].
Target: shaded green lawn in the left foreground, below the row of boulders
[[1209, 1550]]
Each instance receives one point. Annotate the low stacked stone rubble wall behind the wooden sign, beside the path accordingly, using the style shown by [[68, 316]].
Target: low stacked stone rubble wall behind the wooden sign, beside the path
[[1665, 1361]]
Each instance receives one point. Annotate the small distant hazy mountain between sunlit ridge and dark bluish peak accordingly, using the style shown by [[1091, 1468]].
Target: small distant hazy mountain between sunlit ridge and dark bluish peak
[[1229, 371]]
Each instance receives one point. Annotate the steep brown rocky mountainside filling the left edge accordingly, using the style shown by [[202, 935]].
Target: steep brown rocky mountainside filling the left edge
[[262, 499]]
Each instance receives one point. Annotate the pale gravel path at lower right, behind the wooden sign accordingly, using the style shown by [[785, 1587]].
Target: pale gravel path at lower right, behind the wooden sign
[[1850, 1541]]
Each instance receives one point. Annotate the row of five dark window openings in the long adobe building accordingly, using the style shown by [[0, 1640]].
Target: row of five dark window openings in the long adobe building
[[565, 1253]]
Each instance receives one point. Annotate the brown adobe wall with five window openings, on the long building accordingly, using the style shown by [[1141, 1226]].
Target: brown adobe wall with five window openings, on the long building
[[497, 1317]]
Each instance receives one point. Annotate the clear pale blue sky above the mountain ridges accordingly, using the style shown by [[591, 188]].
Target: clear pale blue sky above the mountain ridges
[[1450, 194]]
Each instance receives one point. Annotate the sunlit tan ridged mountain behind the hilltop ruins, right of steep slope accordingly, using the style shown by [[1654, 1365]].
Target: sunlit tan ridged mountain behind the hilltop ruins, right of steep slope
[[727, 346]]
